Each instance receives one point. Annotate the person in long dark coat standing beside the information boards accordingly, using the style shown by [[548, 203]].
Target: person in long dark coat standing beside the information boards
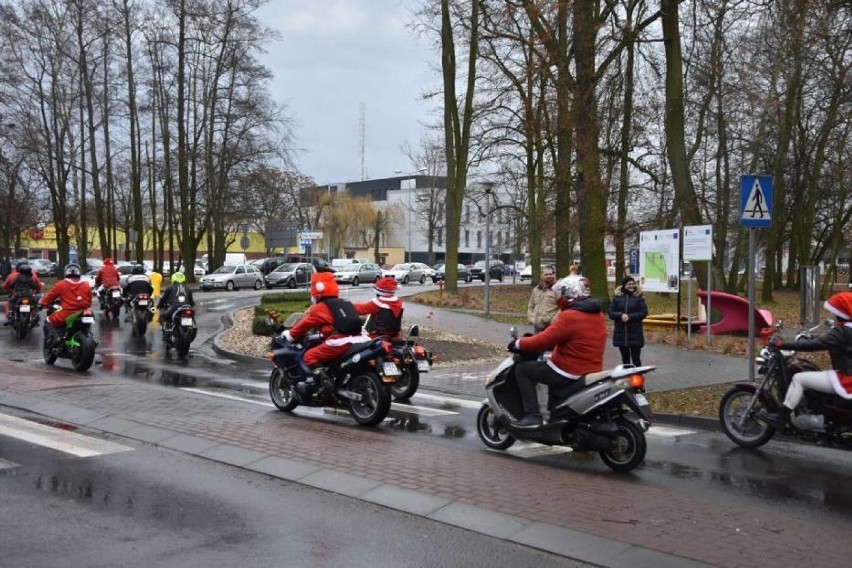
[[627, 311]]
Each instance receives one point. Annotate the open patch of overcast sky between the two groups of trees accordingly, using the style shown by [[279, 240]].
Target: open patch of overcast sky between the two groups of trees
[[336, 54]]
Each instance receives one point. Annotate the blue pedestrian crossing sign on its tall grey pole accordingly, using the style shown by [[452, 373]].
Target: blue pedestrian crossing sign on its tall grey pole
[[755, 212]]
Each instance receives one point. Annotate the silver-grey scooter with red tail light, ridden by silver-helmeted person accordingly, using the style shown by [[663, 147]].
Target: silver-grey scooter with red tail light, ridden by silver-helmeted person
[[595, 418]]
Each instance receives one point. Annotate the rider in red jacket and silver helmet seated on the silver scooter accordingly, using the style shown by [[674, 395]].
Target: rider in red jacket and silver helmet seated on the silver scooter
[[577, 336]]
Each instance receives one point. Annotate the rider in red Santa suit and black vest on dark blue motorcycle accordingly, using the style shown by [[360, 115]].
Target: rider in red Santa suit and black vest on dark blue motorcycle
[[338, 322]]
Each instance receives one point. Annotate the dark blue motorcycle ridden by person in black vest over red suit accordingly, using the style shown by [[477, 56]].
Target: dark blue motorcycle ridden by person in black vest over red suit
[[356, 382]]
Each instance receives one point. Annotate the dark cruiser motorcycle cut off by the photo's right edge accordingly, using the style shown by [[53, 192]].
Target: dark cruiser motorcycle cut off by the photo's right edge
[[820, 418]]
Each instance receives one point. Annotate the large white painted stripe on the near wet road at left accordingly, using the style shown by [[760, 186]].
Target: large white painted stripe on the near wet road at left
[[54, 438]]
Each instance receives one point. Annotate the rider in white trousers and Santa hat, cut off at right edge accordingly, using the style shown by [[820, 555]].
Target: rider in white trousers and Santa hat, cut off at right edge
[[837, 380]]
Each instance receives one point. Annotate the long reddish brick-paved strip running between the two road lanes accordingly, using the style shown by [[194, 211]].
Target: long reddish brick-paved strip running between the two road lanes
[[608, 506]]
